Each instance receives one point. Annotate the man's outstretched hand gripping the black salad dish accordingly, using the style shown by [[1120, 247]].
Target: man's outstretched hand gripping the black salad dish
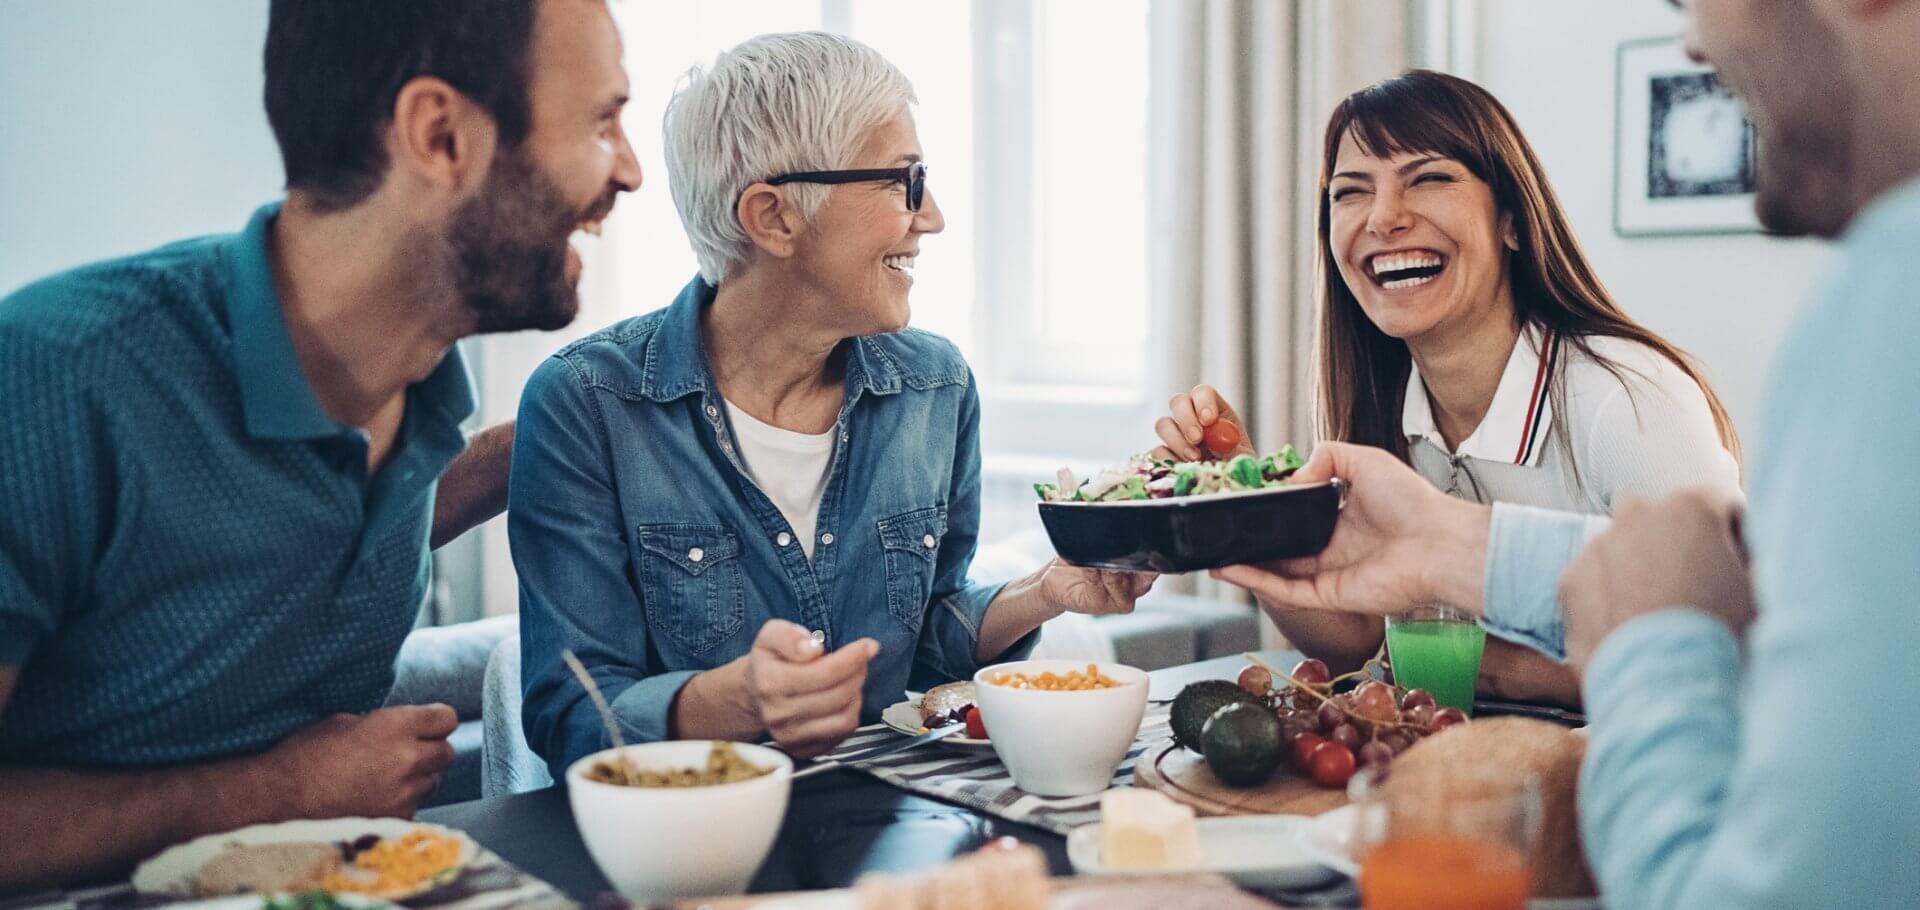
[[1399, 542]]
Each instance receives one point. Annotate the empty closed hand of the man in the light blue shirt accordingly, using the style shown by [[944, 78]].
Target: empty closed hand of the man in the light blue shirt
[[1679, 552]]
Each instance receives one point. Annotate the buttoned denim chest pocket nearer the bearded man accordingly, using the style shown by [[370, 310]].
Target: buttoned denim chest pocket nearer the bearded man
[[692, 583]]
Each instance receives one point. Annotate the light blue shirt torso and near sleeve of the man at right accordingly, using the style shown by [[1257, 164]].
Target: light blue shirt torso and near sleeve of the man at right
[[1788, 784]]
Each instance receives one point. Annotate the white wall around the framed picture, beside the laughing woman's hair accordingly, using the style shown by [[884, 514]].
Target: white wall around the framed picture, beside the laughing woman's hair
[[1729, 300]]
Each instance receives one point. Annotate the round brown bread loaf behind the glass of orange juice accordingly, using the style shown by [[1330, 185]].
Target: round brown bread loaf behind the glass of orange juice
[[1516, 750]]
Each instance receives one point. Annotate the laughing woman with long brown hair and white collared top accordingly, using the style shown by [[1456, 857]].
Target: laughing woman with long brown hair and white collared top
[[1464, 331]]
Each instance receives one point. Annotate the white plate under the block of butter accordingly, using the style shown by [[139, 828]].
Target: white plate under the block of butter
[[1253, 851]]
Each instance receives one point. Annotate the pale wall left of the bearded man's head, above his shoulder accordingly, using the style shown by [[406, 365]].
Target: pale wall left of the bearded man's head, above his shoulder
[[128, 124]]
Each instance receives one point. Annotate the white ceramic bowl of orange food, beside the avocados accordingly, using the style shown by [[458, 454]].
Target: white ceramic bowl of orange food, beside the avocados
[[1061, 744]]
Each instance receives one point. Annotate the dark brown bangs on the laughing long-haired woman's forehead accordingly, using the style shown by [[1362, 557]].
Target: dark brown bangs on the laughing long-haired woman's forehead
[[1412, 116]]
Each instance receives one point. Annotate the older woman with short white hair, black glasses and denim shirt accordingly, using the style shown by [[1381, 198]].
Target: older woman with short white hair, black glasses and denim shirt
[[754, 512]]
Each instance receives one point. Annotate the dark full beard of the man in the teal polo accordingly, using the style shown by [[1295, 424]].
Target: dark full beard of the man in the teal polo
[[510, 251]]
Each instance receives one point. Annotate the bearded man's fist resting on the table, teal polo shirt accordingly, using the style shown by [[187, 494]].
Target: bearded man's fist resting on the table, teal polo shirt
[[379, 765]]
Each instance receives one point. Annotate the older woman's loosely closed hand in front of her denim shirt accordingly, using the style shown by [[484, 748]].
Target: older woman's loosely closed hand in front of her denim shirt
[[807, 700]]
